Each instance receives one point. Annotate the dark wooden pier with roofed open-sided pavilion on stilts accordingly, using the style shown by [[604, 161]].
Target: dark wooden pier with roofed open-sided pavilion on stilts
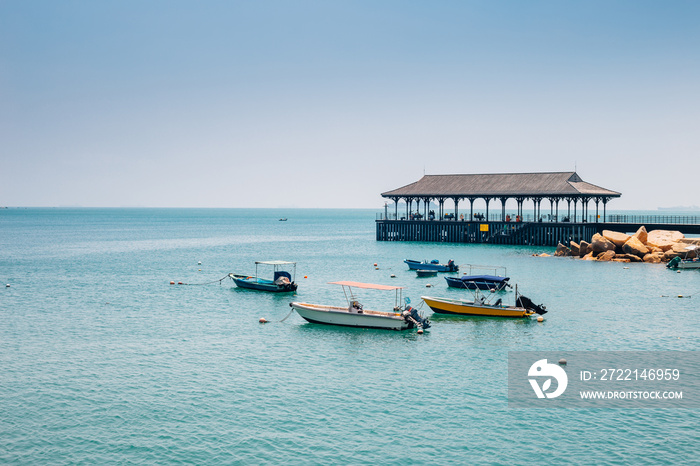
[[535, 228]]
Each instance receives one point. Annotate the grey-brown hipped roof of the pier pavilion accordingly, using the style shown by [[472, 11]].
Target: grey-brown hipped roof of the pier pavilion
[[560, 184]]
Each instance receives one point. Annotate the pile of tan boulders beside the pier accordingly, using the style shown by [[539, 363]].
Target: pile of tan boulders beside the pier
[[653, 247]]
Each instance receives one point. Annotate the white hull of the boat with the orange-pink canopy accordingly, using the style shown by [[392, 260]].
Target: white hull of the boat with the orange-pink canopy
[[332, 315]]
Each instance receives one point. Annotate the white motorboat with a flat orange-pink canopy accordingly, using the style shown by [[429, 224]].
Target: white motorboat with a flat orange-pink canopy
[[402, 317]]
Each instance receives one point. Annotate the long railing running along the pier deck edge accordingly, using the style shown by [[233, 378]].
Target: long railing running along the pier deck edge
[[548, 218]]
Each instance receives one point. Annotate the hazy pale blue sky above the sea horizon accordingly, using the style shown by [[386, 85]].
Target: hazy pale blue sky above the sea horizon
[[327, 104]]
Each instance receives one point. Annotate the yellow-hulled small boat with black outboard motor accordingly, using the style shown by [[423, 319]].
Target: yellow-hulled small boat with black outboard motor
[[482, 306]]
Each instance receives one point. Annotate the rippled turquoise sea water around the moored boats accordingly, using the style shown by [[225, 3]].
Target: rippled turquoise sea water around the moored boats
[[103, 361]]
